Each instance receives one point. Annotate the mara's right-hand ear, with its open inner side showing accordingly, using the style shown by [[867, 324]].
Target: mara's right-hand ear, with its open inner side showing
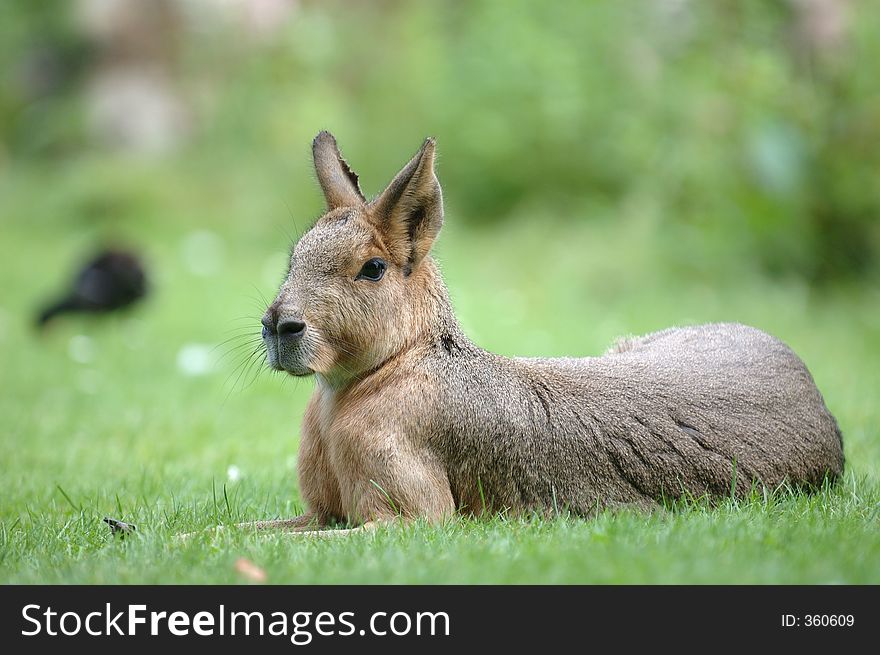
[[409, 212]]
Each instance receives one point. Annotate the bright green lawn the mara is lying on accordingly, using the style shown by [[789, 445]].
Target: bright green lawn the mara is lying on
[[124, 433]]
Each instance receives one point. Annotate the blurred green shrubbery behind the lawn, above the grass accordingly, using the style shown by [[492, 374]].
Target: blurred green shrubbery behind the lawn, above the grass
[[746, 128]]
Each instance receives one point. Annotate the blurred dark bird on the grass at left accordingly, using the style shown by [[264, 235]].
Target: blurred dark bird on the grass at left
[[111, 280]]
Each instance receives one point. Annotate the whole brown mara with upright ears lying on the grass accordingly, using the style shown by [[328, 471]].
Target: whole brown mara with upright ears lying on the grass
[[410, 419]]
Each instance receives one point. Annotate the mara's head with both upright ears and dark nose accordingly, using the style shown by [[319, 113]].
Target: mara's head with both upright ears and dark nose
[[357, 284]]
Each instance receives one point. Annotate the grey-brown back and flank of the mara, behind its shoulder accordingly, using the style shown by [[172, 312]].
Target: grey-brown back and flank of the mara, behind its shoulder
[[687, 411]]
